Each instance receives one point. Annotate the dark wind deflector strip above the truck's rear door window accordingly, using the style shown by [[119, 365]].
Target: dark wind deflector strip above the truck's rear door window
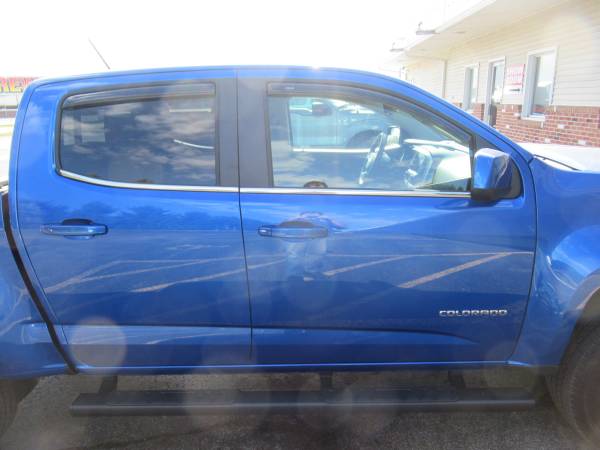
[[140, 93]]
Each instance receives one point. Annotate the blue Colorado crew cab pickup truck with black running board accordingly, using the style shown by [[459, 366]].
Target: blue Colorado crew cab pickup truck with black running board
[[253, 219]]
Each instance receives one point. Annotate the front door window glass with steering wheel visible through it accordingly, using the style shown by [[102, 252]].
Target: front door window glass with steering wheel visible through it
[[321, 142]]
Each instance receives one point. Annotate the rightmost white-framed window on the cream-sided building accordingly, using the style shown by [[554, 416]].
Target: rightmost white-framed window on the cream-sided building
[[540, 83]]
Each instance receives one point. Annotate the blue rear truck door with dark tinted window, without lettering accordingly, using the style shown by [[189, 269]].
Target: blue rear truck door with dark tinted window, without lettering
[[130, 218]]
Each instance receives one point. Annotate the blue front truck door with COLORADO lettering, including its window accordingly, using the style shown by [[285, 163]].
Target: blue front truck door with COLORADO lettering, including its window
[[377, 252]]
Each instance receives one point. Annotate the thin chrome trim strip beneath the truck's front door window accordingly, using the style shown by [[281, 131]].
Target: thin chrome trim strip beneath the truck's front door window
[[355, 192]]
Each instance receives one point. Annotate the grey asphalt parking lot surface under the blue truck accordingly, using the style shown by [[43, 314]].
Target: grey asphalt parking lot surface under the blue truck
[[43, 422]]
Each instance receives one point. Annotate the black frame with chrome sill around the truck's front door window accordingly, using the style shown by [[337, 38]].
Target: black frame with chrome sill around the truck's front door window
[[351, 93]]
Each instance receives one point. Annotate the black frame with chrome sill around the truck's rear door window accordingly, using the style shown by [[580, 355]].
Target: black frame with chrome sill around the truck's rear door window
[[107, 95]]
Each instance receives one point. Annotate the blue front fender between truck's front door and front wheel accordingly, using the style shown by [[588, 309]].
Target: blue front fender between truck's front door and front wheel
[[567, 263]]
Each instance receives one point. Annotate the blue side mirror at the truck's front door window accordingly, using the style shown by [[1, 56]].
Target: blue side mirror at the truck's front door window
[[492, 175]]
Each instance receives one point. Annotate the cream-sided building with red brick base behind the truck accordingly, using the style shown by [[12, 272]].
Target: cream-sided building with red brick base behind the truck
[[531, 68]]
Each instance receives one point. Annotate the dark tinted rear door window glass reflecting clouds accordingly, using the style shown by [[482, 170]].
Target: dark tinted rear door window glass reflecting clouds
[[154, 141]]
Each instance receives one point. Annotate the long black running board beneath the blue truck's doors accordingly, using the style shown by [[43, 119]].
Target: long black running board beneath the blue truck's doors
[[150, 403]]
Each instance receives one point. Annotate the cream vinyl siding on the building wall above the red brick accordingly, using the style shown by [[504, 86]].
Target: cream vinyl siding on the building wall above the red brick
[[572, 28]]
